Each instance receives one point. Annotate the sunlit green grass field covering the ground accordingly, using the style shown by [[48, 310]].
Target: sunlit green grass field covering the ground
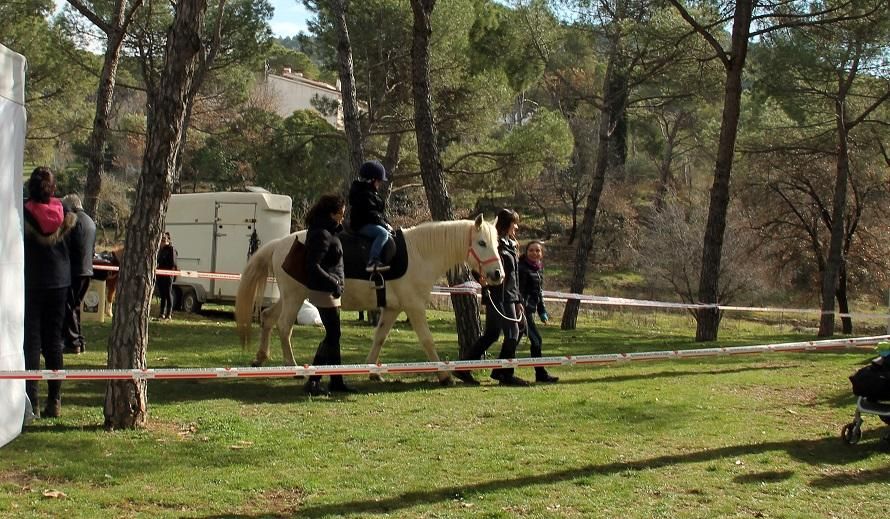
[[749, 436]]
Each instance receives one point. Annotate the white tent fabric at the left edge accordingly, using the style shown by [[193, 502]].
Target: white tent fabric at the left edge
[[12, 251]]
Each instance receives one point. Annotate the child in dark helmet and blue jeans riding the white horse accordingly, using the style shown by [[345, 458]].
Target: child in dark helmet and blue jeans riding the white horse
[[367, 210]]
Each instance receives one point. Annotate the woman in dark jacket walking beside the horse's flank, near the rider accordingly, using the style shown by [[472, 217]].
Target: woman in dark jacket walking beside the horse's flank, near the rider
[[325, 278]]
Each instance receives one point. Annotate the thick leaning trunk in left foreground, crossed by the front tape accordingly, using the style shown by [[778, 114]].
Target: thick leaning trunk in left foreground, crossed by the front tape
[[126, 402]]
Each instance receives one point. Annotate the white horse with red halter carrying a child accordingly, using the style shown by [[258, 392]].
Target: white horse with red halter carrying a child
[[433, 249]]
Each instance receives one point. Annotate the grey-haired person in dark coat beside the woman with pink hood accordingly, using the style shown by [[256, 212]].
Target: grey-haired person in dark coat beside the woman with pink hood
[[82, 242]]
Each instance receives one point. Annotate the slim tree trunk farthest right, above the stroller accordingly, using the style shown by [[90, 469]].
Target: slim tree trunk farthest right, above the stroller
[[839, 206]]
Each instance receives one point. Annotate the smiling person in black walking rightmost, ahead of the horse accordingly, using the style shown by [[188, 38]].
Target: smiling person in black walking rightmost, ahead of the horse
[[531, 288]]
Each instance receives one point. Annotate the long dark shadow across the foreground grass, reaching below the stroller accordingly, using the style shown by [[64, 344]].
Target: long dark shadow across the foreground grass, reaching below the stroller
[[814, 452]]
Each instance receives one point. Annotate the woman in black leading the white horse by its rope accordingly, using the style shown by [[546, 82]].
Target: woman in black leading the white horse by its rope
[[503, 308]]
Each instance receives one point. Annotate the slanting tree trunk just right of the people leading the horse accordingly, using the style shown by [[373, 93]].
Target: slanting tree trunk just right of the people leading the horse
[[585, 231]]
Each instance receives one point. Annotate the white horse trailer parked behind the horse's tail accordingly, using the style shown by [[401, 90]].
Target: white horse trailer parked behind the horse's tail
[[217, 233]]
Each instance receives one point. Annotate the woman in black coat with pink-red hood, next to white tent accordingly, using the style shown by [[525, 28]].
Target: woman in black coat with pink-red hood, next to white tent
[[47, 279]]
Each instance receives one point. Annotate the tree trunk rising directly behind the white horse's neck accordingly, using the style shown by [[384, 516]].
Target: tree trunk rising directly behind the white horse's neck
[[466, 309]]
